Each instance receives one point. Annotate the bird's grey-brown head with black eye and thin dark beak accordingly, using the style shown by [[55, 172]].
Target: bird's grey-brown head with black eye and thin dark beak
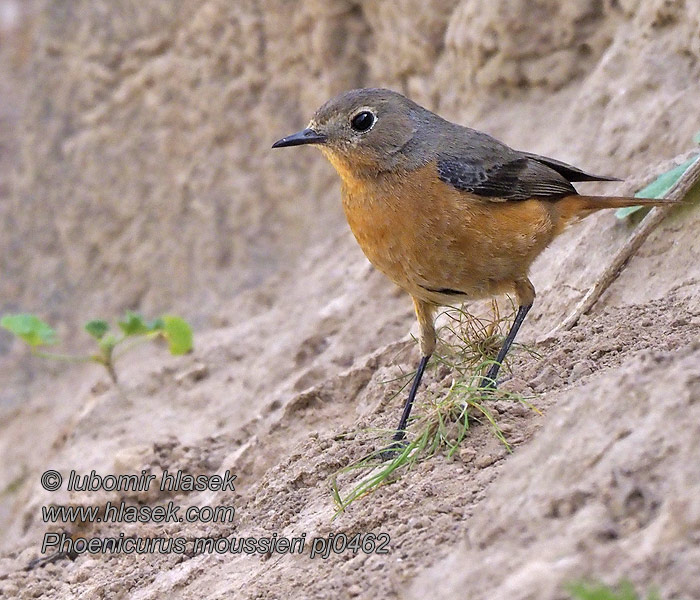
[[367, 131]]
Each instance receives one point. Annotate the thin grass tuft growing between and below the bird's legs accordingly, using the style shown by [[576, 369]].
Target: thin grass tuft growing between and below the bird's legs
[[467, 345]]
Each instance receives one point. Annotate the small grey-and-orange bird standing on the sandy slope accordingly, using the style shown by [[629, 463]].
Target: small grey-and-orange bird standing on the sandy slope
[[446, 212]]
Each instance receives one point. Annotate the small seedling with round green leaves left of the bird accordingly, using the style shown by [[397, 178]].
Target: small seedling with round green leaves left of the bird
[[131, 330]]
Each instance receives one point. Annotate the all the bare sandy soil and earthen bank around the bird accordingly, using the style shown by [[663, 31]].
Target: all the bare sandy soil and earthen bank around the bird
[[298, 339]]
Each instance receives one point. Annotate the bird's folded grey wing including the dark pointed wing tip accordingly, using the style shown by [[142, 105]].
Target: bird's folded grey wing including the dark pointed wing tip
[[488, 168]]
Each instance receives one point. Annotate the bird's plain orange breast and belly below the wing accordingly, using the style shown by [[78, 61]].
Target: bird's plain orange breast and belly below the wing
[[426, 235]]
